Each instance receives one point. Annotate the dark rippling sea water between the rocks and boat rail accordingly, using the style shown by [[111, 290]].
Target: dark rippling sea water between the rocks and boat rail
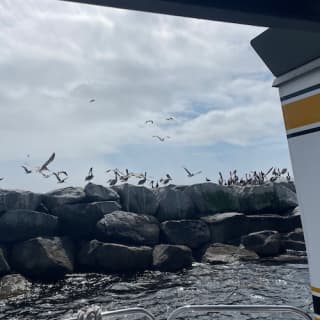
[[160, 293]]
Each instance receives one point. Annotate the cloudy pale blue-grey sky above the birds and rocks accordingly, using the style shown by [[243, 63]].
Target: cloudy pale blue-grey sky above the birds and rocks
[[57, 56]]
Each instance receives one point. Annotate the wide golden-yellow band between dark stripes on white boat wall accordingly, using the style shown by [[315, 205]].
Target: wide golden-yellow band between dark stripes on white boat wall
[[302, 113]]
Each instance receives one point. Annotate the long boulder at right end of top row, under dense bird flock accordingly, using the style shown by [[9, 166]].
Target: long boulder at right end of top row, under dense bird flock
[[266, 198]]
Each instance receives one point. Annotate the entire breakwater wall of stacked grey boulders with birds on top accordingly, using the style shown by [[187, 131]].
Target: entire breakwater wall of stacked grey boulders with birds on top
[[129, 228]]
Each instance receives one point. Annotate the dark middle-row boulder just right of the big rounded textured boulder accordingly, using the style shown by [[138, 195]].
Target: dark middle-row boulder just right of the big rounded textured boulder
[[192, 233]]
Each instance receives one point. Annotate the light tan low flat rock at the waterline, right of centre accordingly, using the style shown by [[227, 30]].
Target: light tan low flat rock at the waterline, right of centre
[[218, 253]]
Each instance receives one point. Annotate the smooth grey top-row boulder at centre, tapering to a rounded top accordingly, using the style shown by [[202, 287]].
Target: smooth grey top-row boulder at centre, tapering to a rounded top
[[174, 204]]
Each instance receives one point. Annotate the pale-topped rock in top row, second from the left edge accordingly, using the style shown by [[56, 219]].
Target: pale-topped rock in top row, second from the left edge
[[59, 197]]
